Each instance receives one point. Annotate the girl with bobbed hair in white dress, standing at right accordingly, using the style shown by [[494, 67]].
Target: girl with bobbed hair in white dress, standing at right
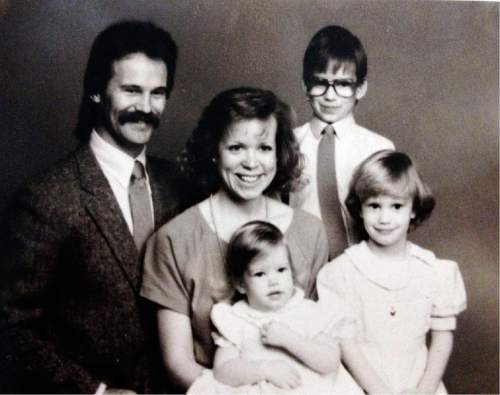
[[397, 291]]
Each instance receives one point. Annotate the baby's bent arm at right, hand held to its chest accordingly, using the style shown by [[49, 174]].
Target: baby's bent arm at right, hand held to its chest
[[320, 353]]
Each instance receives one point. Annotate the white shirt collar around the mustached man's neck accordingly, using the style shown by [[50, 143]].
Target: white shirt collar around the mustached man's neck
[[116, 162]]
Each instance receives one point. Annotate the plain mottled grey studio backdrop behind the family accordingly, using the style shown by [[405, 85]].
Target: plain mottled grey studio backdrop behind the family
[[433, 89]]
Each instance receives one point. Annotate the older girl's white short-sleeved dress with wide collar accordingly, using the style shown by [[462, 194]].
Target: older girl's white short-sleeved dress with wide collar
[[394, 311]]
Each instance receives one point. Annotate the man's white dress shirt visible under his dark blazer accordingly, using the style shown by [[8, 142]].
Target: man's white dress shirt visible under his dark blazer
[[117, 168]]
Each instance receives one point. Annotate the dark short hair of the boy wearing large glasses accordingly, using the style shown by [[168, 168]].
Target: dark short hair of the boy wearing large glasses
[[337, 43]]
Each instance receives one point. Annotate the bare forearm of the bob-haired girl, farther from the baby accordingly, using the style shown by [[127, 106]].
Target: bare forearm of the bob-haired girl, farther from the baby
[[439, 353]]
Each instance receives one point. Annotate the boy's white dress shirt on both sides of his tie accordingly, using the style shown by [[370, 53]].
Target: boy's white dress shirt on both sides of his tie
[[353, 144]]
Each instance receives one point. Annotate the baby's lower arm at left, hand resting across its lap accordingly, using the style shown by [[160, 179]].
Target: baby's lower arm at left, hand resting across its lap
[[230, 369]]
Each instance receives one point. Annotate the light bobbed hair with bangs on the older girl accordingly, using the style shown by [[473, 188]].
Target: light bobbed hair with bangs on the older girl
[[388, 172]]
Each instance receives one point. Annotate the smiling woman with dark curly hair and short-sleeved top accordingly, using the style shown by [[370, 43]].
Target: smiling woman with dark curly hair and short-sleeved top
[[241, 155]]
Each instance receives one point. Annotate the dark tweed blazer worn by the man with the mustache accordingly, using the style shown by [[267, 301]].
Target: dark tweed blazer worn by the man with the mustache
[[70, 308]]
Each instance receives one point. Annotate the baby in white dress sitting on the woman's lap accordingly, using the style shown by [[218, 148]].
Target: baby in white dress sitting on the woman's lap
[[271, 340]]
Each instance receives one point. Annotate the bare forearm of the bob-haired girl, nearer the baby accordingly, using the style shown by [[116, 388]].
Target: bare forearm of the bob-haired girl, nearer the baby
[[361, 369]]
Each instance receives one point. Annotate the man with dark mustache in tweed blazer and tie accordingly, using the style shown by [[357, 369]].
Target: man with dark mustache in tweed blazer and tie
[[72, 319]]
